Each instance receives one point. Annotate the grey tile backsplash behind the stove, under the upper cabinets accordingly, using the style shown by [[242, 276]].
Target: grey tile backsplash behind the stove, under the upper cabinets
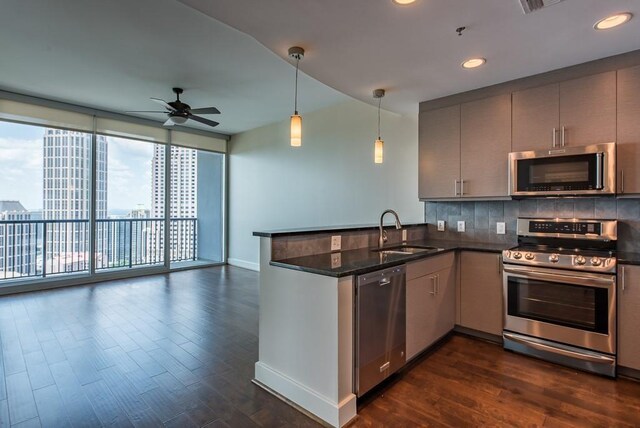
[[481, 217]]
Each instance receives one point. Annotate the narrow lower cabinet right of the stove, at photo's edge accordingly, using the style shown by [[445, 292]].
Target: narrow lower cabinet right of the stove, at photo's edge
[[629, 316]]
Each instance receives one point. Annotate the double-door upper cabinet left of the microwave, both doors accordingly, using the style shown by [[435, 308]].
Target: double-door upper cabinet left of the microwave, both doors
[[458, 143]]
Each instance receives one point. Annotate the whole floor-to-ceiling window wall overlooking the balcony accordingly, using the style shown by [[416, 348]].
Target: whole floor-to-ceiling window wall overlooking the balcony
[[83, 195]]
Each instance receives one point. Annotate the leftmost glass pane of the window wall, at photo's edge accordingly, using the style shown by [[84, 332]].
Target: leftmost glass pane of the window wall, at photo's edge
[[44, 201]]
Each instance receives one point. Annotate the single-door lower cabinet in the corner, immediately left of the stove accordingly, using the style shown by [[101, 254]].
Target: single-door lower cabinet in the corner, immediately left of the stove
[[481, 305]]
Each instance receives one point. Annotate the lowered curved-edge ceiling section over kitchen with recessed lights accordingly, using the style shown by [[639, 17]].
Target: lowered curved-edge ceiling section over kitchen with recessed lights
[[414, 52]]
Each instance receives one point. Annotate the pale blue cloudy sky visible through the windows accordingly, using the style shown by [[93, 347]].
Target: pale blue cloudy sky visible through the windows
[[128, 169]]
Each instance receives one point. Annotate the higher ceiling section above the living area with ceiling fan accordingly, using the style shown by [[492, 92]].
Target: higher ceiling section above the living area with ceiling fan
[[116, 54]]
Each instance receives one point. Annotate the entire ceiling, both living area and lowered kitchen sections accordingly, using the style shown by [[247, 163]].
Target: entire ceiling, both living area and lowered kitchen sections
[[115, 54]]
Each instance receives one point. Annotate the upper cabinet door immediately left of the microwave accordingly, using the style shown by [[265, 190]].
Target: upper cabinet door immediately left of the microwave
[[485, 143]]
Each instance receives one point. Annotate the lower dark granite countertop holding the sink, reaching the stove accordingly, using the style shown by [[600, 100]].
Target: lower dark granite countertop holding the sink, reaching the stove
[[363, 260]]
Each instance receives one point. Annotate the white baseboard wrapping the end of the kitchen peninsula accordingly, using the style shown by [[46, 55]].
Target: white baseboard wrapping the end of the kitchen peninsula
[[335, 414]]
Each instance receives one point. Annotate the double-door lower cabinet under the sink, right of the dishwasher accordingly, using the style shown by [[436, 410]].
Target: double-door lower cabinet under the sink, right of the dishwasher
[[431, 301]]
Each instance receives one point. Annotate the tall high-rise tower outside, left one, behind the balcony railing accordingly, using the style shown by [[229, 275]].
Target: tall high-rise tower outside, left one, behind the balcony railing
[[66, 196]]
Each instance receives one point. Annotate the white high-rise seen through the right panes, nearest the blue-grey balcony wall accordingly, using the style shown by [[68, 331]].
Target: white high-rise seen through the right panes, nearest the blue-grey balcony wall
[[183, 198]]
